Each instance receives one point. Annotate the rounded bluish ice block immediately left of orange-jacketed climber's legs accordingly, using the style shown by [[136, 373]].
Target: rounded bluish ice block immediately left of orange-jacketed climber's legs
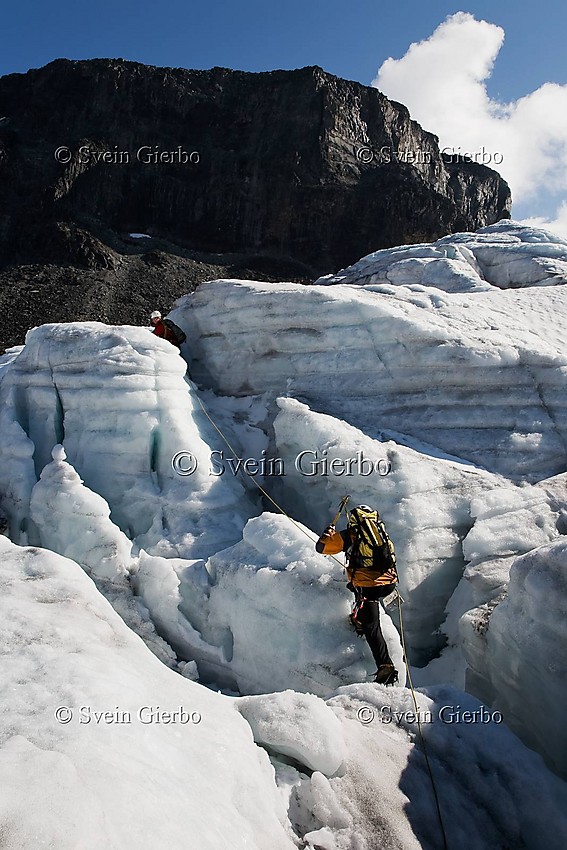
[[272, 593]]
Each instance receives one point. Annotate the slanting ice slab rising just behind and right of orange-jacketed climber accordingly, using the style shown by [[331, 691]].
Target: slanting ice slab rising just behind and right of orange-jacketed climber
[[444, 516]]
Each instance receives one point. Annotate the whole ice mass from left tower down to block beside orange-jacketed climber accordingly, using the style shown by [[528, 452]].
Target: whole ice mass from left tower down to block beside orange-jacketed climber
[[117, 405]]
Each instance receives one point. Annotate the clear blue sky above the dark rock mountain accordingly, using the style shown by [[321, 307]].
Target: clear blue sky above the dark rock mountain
[[350, 39]]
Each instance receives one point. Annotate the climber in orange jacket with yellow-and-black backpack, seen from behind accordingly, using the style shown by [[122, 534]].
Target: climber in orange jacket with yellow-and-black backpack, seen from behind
[[370, 578]]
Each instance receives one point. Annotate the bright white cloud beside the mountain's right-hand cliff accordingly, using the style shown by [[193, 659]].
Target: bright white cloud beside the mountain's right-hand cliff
[[442, 81]]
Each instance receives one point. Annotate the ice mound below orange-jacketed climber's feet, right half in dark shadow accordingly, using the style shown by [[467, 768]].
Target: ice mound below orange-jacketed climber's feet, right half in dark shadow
[[484, 779]]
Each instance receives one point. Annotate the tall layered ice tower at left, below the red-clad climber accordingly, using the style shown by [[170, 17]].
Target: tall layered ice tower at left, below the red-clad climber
[[117, 400]]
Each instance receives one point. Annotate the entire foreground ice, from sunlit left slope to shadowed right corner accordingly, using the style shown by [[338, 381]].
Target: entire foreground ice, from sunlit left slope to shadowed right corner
[[107, 776]]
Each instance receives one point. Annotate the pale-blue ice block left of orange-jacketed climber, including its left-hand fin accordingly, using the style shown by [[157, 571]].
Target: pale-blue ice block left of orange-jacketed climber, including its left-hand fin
[[266, 614]]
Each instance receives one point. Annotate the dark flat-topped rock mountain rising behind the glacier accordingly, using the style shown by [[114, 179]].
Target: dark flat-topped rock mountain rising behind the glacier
[[299, 167]]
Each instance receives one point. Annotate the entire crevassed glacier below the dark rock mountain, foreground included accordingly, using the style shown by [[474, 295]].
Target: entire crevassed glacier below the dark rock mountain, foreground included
[[448, 362]]
